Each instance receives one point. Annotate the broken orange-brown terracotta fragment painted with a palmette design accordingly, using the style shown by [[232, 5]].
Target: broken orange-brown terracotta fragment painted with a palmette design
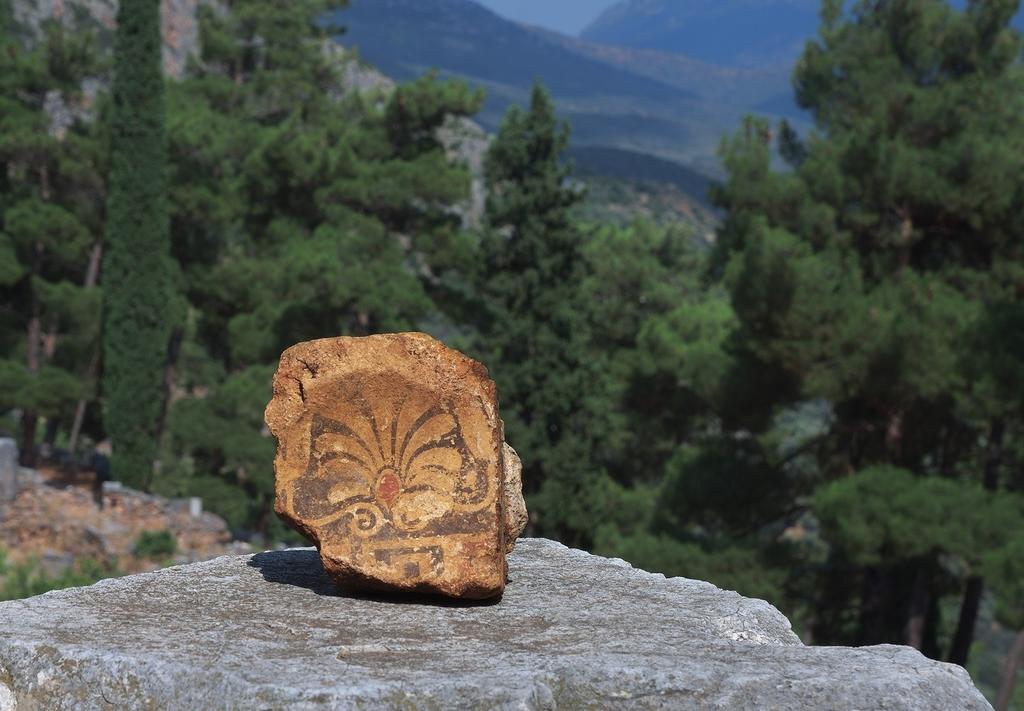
[[392, 461]]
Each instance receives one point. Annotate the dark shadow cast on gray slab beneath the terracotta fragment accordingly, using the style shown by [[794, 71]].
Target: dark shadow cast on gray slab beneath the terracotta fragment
[[303, 568]]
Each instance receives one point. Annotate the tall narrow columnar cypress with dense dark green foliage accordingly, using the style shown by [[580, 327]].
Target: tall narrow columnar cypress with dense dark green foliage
[[137, 268]]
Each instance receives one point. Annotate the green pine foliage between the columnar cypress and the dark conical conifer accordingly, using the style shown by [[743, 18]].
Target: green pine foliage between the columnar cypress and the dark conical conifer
[[300, 211]]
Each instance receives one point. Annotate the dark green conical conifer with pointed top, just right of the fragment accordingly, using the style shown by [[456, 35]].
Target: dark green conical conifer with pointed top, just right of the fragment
[[533, 330]]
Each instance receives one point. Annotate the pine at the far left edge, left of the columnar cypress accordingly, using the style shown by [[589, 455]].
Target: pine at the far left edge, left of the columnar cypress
[[51, 221]]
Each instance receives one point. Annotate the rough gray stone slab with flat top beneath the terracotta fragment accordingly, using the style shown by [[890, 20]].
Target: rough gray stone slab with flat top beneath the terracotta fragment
[[573, 632]]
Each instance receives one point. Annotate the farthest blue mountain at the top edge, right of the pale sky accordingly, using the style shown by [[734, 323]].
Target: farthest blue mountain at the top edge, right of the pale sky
[[732, 33]]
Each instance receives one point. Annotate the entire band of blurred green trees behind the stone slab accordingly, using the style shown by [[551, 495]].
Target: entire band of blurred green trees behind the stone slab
[[823, 408]]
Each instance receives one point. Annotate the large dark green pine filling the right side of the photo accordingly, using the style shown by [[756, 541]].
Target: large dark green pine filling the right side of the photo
[[863, 280]]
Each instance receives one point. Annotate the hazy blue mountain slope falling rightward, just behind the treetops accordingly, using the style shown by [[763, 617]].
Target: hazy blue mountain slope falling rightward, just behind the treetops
[[674, 108]]
